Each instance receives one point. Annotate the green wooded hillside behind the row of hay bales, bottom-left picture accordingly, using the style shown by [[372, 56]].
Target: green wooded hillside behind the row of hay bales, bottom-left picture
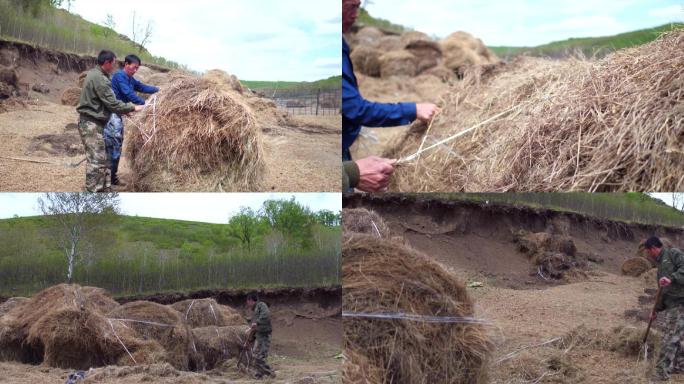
[[137, 255]]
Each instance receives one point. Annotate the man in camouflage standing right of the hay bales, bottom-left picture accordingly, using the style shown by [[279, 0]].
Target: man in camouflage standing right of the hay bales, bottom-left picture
[[261, 330]]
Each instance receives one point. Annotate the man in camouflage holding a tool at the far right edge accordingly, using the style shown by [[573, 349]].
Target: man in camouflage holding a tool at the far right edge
[[670, 263]]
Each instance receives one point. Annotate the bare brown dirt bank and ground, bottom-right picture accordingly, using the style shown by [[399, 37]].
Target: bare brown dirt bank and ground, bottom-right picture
[[524, 309]]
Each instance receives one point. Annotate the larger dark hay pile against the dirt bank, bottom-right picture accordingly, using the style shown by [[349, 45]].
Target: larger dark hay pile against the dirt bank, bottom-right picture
[[552, 255]]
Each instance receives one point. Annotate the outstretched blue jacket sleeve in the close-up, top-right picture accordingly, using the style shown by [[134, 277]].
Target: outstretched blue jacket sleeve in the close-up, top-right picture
[[369, 114]]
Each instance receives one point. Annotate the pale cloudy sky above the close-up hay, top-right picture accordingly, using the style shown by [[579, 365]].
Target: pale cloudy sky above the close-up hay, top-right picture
[[528, 22]]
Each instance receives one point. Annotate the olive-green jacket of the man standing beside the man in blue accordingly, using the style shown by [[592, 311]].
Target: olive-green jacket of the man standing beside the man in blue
[[98, 101]]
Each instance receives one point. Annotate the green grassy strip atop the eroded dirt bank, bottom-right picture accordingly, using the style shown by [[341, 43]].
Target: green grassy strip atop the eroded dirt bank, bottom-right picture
[[626, 207]]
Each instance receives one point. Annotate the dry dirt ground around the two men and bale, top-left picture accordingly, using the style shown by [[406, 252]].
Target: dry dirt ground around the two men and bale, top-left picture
[[299, 158]]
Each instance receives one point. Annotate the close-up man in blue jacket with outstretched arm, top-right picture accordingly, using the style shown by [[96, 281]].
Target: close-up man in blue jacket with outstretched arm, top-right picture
[[356, 111]]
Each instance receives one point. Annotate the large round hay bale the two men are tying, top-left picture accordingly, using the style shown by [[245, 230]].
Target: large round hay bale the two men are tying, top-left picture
[[205, 139]]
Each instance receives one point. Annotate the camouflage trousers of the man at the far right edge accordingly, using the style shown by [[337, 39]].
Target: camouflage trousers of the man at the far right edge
[[671, 358]]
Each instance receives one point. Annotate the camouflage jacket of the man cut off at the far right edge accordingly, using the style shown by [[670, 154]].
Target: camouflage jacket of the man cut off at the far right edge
[[671, 265]]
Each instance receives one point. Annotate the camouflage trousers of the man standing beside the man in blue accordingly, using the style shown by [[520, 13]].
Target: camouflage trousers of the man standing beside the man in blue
[[97, 162]]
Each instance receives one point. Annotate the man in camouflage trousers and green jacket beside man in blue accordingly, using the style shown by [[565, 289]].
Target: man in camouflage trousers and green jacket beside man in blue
[[95, 107]]
